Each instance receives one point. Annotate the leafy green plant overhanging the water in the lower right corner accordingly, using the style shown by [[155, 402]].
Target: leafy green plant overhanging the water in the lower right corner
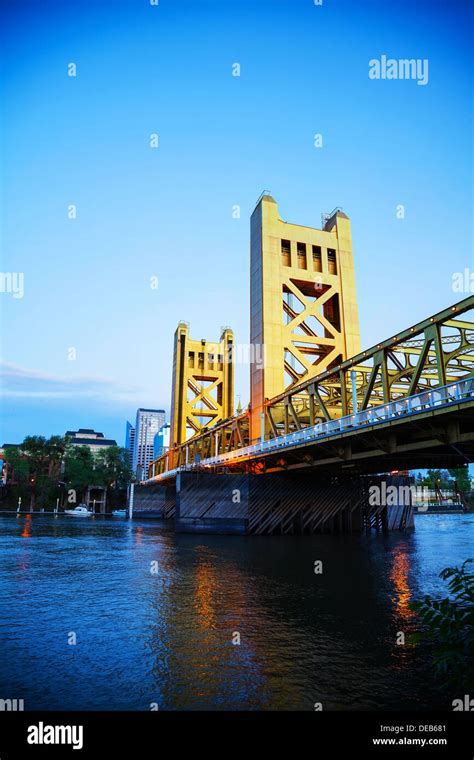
[[449, 625]]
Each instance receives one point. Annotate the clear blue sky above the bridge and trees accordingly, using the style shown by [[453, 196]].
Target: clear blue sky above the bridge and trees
[[167, 212]]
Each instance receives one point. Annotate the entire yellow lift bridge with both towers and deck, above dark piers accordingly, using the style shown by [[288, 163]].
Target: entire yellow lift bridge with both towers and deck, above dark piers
[[318, 404]]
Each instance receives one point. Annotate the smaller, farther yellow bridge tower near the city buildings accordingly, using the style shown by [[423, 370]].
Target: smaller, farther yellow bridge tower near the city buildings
[[203, 383]]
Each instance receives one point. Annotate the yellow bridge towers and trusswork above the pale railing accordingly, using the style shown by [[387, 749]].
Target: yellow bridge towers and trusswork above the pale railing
[[305, 333]]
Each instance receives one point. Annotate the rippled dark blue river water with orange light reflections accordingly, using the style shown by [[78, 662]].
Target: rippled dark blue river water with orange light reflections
[[156, 617]]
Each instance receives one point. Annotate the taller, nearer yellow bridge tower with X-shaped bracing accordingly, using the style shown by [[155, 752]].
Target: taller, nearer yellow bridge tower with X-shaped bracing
[[303, 306]]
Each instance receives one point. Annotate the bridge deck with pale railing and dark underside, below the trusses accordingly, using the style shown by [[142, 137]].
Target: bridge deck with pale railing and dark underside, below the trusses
[[390, 433]]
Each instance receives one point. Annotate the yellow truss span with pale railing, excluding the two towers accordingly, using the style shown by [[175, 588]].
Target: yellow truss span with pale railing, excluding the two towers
[[426, 369]]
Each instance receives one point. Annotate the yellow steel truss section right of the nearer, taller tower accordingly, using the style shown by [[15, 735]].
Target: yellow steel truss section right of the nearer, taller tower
[[434, 352]]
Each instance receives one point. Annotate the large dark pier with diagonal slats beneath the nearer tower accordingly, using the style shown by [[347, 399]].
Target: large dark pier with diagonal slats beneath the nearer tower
[[288, 503]]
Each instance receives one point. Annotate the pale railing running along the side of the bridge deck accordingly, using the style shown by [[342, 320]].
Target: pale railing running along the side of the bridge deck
[[395, 410]]
